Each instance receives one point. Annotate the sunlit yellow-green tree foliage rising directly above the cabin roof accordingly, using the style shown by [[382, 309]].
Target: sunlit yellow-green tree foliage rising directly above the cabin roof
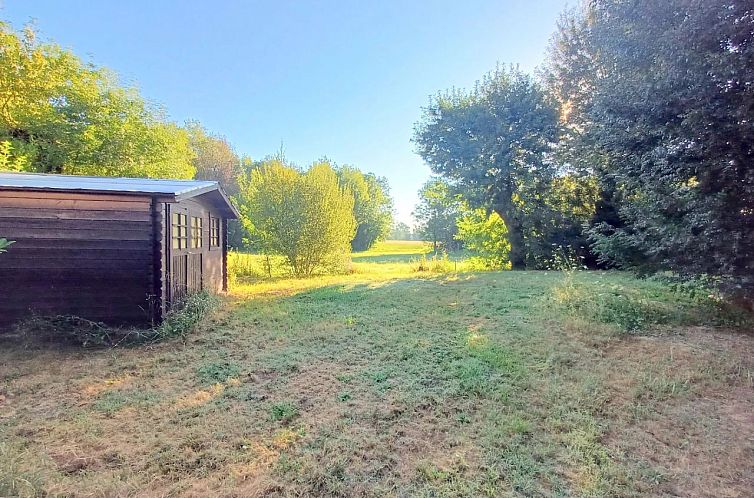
[[61, 115]]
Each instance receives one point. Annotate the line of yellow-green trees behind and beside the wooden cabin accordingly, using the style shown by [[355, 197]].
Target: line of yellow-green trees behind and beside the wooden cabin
[[59, 114]]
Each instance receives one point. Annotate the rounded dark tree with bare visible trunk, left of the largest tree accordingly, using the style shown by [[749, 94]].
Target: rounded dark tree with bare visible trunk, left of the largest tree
[[492, 143]]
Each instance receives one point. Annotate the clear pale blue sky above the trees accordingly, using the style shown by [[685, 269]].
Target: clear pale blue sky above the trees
[[342, 79]]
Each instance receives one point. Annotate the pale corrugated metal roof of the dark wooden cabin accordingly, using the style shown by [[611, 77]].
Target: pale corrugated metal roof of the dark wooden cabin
[[147, 186]]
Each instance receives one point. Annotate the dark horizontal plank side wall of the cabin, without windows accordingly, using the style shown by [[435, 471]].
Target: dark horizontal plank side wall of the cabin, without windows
[[89, 255]]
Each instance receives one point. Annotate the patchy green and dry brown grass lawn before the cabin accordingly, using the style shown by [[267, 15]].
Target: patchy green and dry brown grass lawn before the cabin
[[389, 382]]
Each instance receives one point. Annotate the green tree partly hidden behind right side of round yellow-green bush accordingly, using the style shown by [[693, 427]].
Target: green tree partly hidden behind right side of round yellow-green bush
[[373, 206]]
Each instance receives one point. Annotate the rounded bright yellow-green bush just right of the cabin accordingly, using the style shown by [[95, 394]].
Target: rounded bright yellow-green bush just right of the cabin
[[307, 217]]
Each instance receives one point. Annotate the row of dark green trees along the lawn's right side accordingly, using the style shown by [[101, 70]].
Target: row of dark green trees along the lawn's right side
[[634, 145]]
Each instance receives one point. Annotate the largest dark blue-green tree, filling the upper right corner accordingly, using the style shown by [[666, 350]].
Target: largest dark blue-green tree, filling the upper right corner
[[659, 97]]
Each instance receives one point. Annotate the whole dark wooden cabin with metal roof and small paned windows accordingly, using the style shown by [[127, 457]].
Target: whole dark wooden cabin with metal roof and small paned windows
[[116, 250]]
